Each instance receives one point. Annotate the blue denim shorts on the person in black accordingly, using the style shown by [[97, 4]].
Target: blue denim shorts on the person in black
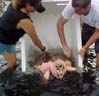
[[5, 48]]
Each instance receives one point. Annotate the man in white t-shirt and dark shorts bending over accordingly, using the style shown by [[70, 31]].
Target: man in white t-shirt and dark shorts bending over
[[89, 13]]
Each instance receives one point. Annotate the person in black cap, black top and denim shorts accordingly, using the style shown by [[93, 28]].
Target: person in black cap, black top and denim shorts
[[14, 23]]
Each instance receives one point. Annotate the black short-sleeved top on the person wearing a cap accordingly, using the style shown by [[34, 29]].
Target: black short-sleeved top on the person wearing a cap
[[9, 34]]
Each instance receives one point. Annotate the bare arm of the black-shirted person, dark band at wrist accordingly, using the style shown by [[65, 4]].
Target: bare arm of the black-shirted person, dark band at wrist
[[29, 28]]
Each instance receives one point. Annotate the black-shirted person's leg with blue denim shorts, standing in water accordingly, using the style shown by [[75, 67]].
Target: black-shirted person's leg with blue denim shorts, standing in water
[[8, 51]]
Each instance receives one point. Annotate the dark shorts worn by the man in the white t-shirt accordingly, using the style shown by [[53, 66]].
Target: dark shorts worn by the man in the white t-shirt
[[87, 32]]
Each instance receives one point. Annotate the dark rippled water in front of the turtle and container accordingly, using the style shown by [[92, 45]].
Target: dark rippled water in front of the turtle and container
[[73, 84]]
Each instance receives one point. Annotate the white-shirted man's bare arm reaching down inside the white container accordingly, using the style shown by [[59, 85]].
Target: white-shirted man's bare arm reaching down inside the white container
[[60, 29]]
